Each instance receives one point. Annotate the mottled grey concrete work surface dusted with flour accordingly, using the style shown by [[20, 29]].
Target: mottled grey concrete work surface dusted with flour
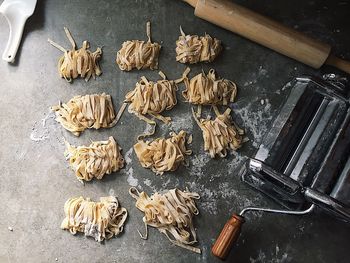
[[35, 178]]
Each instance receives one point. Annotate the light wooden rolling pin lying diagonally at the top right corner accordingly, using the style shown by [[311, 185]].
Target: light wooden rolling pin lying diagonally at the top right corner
[[268, 33]]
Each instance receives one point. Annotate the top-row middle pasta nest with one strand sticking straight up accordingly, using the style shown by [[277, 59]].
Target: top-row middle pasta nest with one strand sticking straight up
[[139, 54]]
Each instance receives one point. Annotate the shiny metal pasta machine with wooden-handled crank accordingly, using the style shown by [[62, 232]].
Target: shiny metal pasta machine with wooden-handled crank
[[303, 162]]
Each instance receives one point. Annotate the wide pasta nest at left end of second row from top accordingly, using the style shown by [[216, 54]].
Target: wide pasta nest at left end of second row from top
[[86, 112]]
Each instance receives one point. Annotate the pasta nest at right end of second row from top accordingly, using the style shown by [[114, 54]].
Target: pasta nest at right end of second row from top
[[208, 90]]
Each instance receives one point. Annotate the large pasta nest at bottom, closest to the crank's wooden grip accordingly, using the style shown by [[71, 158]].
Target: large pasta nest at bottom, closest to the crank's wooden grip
[[171, 213]]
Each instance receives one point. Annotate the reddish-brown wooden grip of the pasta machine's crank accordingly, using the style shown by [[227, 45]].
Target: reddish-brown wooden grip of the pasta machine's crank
[[229, 234]]
